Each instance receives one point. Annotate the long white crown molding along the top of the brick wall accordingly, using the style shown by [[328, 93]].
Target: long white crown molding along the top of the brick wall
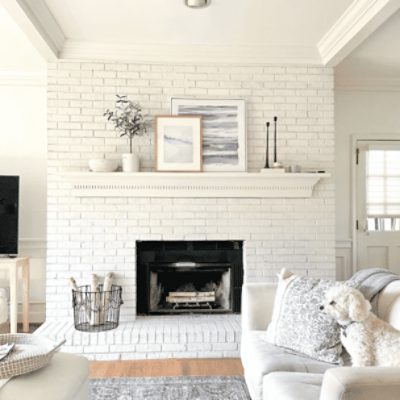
[[307, 55]]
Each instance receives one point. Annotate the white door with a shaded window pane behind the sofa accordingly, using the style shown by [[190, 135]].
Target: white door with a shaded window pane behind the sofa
[[378, 205]]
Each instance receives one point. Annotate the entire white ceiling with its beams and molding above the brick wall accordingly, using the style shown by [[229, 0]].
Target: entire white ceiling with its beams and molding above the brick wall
[[362, 33]]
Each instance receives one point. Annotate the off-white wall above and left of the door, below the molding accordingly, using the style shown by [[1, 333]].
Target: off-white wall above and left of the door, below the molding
[[358, 112]]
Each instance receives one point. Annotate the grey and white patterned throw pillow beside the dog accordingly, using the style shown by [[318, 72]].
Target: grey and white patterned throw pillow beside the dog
[[297, 321]]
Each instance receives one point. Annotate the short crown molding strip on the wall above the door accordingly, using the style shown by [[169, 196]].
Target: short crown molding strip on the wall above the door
[[367, 84]]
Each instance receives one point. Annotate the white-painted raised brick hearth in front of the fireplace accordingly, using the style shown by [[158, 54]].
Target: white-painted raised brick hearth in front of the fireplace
[[213, 336]]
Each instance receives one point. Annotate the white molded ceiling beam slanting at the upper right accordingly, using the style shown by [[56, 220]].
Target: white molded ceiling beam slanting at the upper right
[[360, 19]]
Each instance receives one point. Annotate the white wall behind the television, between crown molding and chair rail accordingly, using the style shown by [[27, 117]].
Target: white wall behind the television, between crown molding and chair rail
[[23, 152]]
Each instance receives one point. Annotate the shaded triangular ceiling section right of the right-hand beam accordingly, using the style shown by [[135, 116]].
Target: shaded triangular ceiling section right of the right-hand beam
[[377, 58]]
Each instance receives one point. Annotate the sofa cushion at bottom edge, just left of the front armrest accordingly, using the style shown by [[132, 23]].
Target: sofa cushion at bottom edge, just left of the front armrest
[[292, 386]]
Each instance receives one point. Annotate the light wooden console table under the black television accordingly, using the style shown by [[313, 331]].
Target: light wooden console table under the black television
[[13, 265]]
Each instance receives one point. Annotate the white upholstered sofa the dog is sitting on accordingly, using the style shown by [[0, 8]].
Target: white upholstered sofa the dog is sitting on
[[273, 373]]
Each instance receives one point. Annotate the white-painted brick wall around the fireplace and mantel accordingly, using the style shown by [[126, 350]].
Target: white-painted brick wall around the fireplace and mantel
[[99, 234]]
